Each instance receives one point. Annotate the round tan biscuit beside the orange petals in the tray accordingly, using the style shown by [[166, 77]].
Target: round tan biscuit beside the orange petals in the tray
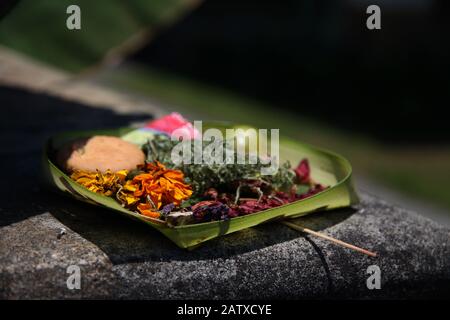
[[100, 153]]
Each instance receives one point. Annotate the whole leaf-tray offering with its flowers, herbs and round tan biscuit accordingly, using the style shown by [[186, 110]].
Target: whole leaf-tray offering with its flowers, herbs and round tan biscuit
[[137, 172]]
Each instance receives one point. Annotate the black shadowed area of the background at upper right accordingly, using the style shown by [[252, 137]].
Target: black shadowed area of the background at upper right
[[317, 58]]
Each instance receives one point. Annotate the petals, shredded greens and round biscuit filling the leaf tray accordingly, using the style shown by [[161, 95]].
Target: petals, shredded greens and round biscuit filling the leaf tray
[[146, 180]]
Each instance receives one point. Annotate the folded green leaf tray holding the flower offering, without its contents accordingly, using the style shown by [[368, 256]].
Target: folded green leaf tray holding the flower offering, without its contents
[[327, 168]]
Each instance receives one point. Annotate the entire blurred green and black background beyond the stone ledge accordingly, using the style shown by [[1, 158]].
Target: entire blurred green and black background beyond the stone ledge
[[308, 67]]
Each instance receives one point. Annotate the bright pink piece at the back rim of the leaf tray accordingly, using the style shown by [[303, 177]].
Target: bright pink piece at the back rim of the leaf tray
[[174, 121]]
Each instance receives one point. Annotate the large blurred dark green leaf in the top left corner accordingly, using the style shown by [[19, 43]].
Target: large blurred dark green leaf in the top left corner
[[38, 28]]
